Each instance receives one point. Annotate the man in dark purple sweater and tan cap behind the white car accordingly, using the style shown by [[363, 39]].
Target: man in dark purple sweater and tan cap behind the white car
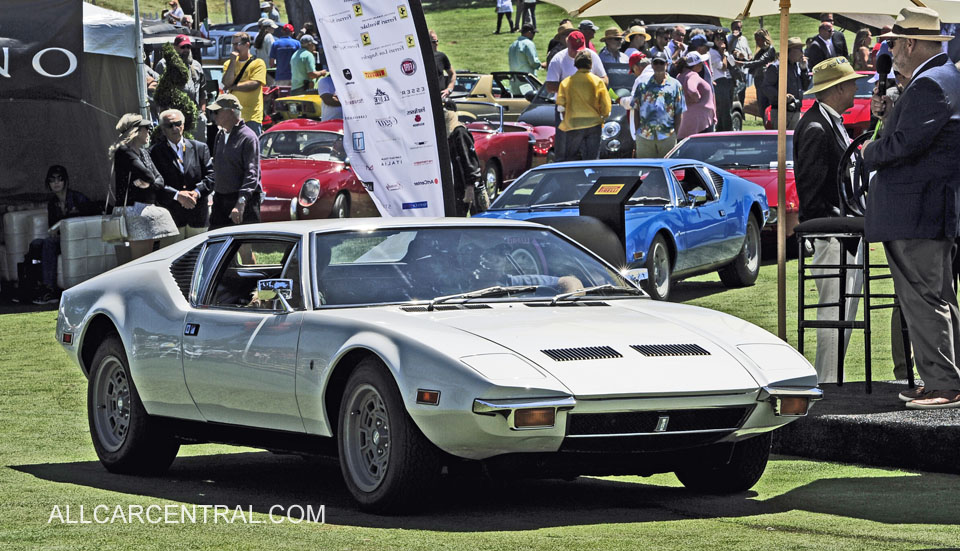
[[236, 166]]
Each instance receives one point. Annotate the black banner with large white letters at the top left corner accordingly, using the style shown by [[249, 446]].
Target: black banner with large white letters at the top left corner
[[41, 42]]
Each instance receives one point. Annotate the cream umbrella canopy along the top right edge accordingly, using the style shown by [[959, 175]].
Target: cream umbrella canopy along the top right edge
[[949, 10]]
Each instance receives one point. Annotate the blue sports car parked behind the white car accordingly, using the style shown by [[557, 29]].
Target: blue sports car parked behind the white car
[[685, 219]]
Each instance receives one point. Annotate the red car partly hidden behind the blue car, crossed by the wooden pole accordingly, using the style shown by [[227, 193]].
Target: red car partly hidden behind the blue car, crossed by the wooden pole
[[752, 156]]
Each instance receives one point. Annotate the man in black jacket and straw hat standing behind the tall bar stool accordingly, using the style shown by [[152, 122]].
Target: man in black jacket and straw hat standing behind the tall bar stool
[[818, 145]]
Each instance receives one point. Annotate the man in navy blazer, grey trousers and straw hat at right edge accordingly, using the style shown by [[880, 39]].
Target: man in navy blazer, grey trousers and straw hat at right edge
[[913, 206]]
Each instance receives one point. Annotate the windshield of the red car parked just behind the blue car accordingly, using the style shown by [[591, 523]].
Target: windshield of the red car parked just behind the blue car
[[739, 151]]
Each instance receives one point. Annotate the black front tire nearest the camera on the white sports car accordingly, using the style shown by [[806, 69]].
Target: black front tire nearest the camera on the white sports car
[[414, 463]]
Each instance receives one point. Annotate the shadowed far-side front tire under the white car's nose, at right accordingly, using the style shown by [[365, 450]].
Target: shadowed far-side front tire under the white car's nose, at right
[[746, 466]]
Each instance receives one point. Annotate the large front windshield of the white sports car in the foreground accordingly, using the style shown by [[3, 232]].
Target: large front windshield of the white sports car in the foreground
[[413, 264]]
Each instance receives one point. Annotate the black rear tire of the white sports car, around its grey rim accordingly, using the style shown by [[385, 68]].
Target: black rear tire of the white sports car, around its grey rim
[[147, 447]]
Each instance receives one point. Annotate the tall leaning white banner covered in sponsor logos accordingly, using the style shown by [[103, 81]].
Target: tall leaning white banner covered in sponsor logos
[[382, 66]]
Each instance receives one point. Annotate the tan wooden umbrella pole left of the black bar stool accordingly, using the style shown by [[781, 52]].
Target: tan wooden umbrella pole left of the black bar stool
[[782, 172]]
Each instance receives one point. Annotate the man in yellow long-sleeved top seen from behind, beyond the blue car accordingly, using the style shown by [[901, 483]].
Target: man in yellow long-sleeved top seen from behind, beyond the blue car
[[584, 103]]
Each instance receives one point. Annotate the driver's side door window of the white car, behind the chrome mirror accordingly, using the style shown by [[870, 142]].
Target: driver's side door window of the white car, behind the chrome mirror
[[246, 262]]
